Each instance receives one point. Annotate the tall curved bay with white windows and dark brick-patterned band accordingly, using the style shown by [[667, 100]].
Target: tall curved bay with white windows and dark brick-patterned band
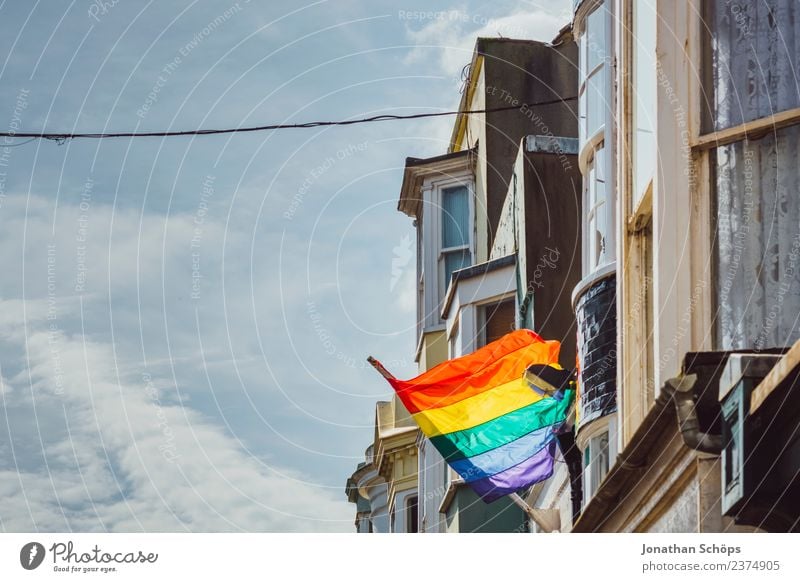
[[594, 298]]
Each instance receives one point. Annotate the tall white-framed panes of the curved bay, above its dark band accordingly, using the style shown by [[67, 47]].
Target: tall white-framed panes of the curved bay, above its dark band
[[594, 106]]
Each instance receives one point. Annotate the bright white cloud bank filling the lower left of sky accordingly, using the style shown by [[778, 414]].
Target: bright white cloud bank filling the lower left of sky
[[132, 460]]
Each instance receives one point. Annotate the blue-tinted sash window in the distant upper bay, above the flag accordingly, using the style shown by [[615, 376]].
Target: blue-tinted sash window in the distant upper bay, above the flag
[[455, 249]]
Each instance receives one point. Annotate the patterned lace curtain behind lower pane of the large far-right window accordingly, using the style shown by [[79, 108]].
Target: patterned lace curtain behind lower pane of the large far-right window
[[758, 242]]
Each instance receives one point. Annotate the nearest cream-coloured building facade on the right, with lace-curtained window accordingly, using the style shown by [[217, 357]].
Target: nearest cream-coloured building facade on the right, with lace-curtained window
[[689, 115]]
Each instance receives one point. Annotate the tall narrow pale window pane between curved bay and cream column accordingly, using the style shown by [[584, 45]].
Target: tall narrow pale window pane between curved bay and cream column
[[643, 142]]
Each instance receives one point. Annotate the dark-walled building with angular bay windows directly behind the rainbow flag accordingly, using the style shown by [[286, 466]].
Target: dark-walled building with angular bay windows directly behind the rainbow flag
[[497, 220]]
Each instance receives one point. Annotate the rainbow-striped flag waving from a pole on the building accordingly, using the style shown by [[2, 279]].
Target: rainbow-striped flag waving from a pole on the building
[[494, 414]]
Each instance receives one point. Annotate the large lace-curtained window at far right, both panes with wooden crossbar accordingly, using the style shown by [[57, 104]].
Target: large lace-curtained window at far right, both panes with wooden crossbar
[[752, 130]]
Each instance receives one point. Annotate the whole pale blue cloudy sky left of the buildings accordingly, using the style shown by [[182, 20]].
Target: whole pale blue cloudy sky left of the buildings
[[184, 323]]
